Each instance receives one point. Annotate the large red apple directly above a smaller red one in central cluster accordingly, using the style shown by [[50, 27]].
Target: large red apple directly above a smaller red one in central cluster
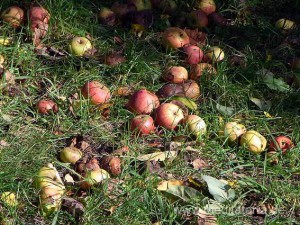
[[143, 102]]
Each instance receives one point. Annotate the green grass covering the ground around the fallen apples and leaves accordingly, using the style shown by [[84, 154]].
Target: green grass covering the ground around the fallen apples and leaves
[[33, 142]]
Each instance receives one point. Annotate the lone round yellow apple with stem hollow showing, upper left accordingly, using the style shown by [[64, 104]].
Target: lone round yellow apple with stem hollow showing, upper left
[[79, 45]]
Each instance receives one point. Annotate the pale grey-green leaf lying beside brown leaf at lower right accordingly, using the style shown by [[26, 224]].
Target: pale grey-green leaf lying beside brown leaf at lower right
[[218, 189]]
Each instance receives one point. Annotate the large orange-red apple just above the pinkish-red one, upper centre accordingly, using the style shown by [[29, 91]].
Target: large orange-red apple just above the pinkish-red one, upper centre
[[174, 38]]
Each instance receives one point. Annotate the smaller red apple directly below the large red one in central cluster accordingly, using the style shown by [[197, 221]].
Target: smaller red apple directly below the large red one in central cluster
[[142, 125]]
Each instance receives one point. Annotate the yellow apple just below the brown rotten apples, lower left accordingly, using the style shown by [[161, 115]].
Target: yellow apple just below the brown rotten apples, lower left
[[93, 177]]
